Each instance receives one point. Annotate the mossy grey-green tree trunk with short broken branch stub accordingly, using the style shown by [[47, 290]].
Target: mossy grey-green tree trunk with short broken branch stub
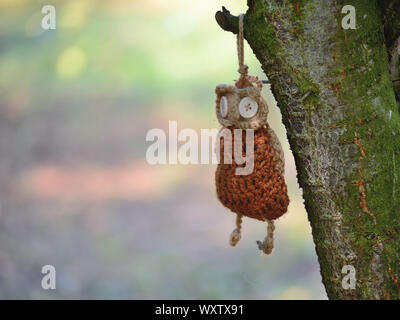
[[337, 96]]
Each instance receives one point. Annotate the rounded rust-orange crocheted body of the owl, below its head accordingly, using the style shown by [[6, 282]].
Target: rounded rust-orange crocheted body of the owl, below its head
[[263, 193]]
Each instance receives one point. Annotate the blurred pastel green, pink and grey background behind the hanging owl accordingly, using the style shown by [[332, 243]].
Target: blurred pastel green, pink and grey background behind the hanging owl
[[75, 189]]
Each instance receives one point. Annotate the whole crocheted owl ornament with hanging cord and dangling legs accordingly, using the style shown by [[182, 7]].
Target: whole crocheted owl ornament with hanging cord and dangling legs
[[261, 194]]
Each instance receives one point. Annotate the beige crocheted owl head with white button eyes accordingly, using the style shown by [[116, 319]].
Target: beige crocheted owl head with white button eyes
[[243, 108]]
